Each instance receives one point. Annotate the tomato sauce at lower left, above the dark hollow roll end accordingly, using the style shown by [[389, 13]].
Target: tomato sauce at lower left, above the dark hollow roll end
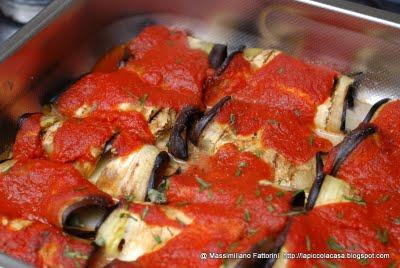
[[42, 190]]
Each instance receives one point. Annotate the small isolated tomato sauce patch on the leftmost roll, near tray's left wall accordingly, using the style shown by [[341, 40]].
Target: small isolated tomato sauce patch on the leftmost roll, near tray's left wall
[[28, 143]]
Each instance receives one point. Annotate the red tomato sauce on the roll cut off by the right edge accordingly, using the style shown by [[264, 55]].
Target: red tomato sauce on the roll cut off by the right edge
[[372, 167]]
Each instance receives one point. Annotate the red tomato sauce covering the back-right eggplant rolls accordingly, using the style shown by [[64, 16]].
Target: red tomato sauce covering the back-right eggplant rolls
[[280, 99]]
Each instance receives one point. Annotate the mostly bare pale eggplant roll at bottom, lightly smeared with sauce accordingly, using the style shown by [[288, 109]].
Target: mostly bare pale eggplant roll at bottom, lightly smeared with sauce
[[137, 229]]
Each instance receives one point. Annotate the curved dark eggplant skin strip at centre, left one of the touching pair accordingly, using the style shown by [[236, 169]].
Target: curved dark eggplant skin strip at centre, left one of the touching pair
[[178, 145]]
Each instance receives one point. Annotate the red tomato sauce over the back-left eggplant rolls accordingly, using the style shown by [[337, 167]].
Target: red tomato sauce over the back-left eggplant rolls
[[163, 71]]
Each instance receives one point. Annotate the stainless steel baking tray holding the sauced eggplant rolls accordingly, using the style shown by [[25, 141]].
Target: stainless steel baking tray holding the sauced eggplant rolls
[[64, 41]]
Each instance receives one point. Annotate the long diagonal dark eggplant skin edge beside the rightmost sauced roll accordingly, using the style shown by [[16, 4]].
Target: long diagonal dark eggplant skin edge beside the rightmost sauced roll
[[349, 143]]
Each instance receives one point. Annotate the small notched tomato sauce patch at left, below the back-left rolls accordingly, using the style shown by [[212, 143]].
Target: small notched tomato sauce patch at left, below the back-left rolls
[[76, 139]]
